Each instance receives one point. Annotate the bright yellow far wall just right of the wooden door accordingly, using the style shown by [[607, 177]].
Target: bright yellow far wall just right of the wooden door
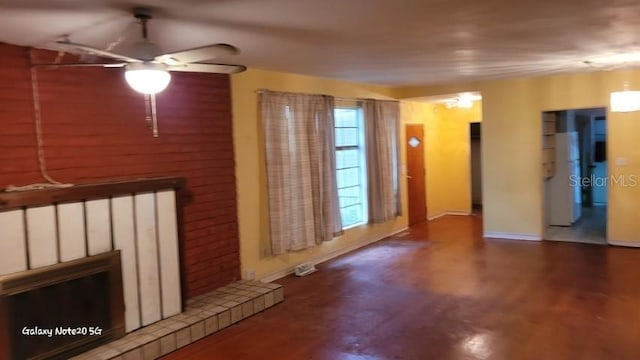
[[447, 151]]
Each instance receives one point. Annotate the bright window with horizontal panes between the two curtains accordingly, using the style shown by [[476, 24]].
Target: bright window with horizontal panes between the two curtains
[[351, 166]]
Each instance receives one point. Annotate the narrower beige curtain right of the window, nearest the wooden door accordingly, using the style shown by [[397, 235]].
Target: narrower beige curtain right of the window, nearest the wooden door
[[382, 129]]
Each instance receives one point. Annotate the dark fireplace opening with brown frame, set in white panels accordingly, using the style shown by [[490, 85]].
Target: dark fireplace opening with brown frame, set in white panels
[[58, 311]]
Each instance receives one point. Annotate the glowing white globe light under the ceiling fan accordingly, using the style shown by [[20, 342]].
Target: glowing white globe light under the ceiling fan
[[147, 78]]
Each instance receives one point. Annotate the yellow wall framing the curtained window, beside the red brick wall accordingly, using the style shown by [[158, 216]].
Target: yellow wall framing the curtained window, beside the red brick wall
[[251, 172]]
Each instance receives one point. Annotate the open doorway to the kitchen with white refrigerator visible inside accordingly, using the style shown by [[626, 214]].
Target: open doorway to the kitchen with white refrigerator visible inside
[[576, 189]]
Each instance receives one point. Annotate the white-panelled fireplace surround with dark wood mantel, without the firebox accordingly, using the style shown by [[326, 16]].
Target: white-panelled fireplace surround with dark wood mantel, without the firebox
[[140, 218]]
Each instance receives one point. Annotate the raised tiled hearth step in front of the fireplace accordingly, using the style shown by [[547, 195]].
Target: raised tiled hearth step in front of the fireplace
[[204, 315]]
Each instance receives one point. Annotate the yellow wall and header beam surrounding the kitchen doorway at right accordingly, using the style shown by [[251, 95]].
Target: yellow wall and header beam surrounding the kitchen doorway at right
[[511, 130]]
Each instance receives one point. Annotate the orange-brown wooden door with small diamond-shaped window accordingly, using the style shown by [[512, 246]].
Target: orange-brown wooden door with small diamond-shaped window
[[416, 174]]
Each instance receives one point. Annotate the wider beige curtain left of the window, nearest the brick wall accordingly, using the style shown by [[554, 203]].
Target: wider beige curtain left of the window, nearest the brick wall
[[301, 170]]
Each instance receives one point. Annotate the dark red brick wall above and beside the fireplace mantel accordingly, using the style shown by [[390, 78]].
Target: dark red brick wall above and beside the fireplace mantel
[[94, 130]]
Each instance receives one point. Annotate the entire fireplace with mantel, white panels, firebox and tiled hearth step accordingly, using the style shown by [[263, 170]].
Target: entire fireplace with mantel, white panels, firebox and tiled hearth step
[[82, 266]]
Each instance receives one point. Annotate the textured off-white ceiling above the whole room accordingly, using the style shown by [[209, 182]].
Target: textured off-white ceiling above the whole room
[[388, 42]]
